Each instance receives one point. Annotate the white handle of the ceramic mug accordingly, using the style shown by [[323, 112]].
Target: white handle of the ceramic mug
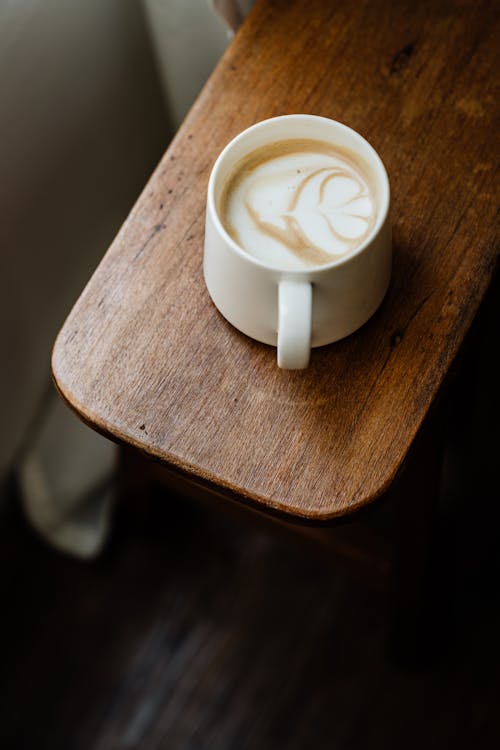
[[294, 324]]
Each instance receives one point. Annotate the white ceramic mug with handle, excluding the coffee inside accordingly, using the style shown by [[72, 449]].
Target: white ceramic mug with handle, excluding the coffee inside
[[299, 308]]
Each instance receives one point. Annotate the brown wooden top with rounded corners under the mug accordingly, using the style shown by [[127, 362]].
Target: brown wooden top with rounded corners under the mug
[[145, 358]]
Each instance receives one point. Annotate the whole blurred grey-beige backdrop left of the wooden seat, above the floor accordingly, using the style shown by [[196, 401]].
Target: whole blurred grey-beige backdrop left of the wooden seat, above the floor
[[91, 94]]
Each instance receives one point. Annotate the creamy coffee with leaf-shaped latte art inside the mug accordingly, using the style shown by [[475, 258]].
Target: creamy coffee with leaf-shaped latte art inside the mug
[[299, 203]]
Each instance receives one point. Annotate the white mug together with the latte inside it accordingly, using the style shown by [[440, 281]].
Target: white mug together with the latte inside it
[[298, 234]]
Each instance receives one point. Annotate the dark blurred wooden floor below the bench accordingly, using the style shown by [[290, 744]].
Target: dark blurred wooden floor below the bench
[[203, 634]]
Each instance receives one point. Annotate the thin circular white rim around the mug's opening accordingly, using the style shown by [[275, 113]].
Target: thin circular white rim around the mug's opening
[[381, 218]]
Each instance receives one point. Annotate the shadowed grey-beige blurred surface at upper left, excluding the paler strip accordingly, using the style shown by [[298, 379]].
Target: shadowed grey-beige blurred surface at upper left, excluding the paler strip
[[82, 124]]
